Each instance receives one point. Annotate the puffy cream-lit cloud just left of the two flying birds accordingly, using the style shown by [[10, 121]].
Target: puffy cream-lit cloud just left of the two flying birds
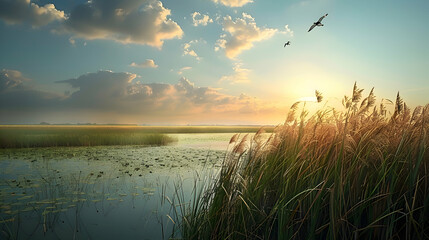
[[242, 33]]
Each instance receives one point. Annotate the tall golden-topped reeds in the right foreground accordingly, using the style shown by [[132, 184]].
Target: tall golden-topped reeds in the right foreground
[[352, 174]]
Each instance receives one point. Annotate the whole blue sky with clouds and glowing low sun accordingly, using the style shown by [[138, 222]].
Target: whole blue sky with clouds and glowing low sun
[[169, 62]]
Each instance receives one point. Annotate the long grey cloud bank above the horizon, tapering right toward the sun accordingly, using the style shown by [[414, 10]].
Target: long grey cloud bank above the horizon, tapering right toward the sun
[[119, 93]]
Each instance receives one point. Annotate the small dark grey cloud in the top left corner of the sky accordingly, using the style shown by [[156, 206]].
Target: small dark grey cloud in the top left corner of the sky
[[24, 11]]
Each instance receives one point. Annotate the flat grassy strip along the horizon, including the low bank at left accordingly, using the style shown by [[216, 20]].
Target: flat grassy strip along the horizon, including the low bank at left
[[25, 136]]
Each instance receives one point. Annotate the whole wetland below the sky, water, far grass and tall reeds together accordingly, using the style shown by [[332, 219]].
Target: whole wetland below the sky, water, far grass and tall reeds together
[[356, 173]]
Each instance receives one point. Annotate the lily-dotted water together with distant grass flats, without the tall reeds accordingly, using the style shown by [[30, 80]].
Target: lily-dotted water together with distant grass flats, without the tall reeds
[[62, 181]]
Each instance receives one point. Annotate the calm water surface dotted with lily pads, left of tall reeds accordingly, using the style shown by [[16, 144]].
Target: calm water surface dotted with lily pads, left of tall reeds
[[115, 192]]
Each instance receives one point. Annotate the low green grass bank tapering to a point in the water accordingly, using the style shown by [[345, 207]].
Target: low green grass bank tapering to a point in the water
[[33, 136]]
